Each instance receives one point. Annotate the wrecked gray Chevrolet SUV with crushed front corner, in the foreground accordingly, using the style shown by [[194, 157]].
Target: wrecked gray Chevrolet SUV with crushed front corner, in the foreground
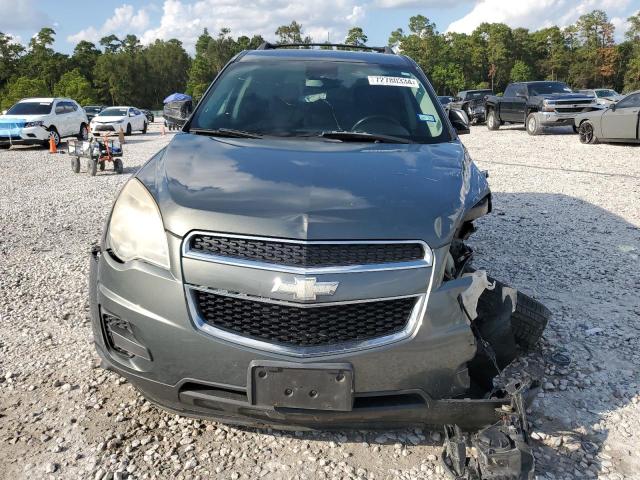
[[296, 257]]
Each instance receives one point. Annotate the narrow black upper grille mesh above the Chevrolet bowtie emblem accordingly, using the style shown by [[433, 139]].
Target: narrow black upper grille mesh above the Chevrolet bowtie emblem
[[306, 255]]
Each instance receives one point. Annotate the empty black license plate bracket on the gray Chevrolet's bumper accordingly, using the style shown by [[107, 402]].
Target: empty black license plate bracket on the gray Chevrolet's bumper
[[313, 386]]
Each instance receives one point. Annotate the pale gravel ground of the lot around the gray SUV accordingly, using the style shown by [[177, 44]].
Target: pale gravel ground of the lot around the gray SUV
[[565, 229]]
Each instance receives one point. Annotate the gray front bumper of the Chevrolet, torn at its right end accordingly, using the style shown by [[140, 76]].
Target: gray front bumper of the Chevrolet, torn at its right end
[[418, 380]]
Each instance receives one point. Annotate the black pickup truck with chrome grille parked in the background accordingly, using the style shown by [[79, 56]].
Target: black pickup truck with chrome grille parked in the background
[[536, 105]]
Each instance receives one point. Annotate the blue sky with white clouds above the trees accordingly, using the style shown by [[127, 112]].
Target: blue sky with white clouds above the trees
[[325, 19]]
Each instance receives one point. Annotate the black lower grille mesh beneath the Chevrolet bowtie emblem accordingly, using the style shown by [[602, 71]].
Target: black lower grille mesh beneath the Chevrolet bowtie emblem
[[304, 327]]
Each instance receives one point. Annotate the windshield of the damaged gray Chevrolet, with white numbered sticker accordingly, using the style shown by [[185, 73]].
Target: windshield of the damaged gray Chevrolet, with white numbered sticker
[[290, 98]]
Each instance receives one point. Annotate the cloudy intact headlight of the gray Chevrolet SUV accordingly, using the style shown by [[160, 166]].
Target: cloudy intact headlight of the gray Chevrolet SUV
[[136, 230]]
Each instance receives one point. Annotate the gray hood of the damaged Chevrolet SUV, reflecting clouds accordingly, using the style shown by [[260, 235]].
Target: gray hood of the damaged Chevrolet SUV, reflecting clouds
[[311, 189]]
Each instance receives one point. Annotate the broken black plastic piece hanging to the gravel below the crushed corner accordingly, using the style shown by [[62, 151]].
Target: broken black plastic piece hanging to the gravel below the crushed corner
[[501, 451]]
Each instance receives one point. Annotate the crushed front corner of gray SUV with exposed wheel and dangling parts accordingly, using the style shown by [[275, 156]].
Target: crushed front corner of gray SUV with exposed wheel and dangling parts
[[505, 323]]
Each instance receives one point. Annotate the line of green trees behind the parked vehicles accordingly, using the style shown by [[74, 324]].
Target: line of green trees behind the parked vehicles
[[121, 71]]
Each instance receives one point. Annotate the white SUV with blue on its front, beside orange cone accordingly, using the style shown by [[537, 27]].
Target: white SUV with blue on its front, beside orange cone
[[33, 120]]
